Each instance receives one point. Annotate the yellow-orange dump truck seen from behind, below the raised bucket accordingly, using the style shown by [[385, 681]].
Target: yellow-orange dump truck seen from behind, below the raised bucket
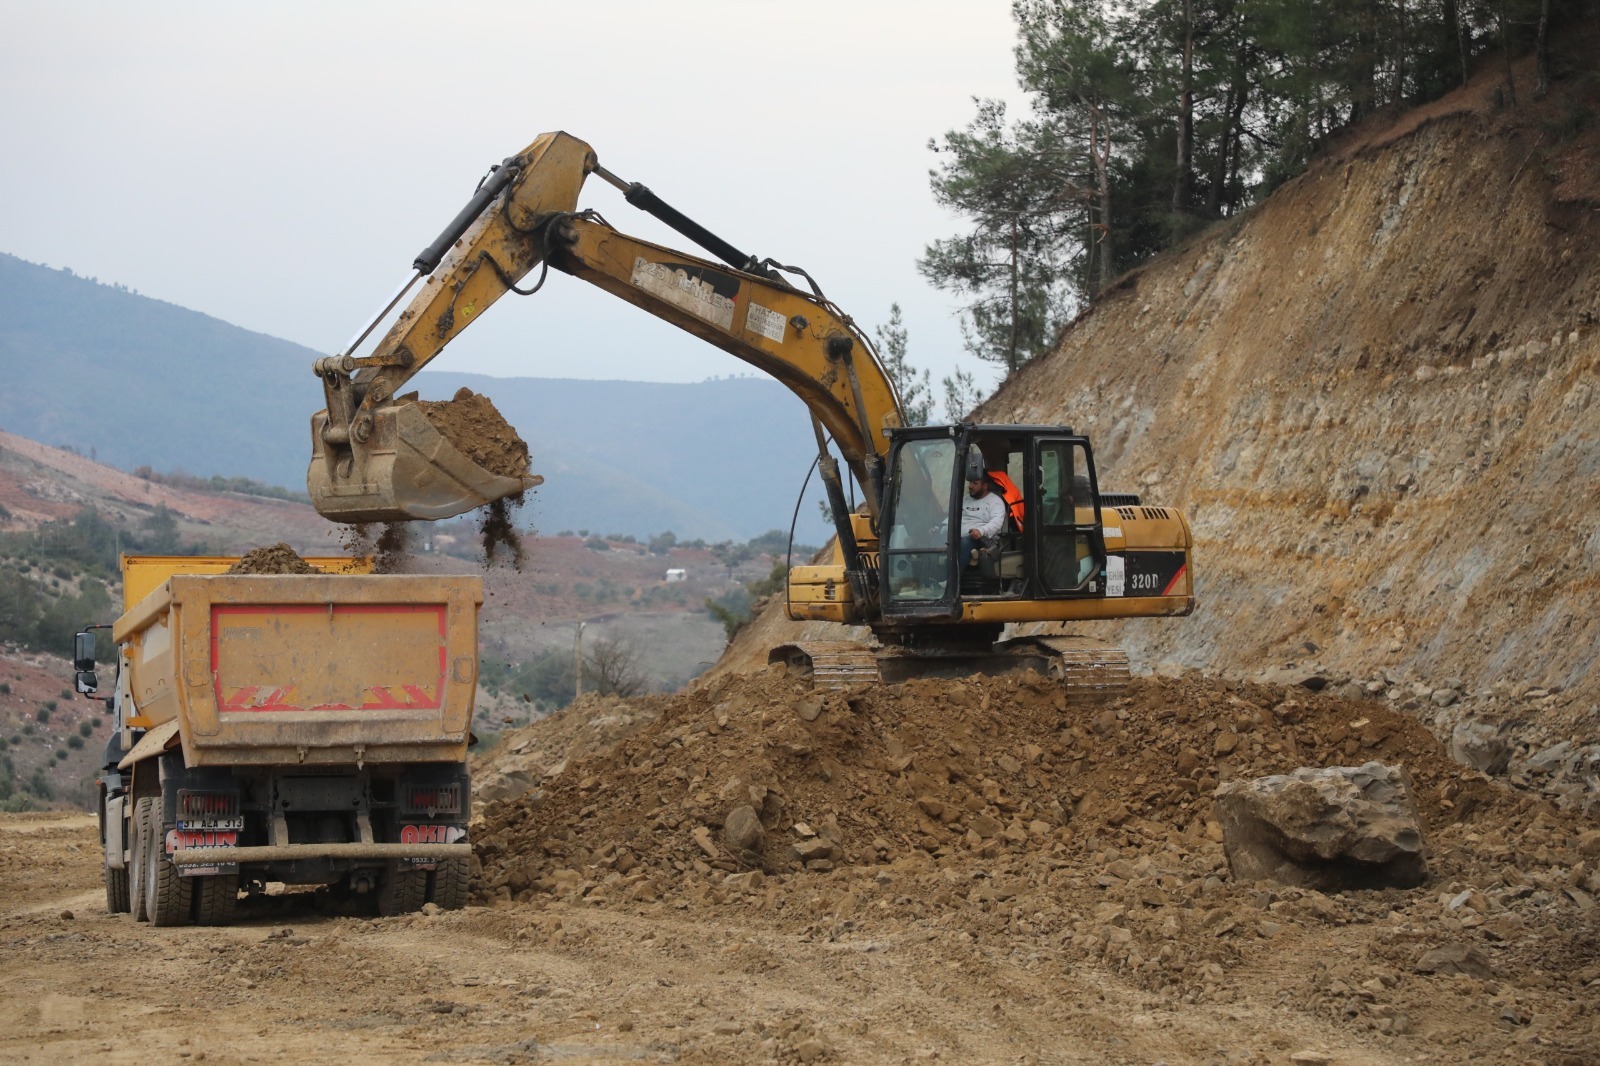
[[284, 729]]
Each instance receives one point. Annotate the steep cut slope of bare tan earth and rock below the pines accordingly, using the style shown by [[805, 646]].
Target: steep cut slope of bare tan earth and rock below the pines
[[1375, 399]]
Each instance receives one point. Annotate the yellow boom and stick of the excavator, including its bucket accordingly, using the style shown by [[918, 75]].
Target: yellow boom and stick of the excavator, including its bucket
[[378, 459]]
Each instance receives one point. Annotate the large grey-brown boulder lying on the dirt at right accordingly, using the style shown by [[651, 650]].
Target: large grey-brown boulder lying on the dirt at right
[[1329, 830]]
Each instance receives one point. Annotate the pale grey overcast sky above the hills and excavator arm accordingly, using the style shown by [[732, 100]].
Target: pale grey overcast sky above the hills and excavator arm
[[279, 166]]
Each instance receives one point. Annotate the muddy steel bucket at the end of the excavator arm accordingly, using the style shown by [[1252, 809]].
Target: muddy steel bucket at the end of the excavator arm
[[406, 471]]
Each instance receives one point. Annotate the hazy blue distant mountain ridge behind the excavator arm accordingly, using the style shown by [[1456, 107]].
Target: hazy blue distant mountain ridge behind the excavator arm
[[714, 460]]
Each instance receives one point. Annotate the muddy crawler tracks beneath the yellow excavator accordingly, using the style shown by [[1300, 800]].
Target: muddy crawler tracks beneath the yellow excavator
[[1090, 671]]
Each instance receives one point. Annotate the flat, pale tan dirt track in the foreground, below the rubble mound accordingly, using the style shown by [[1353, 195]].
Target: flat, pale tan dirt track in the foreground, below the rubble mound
[[558, 984]]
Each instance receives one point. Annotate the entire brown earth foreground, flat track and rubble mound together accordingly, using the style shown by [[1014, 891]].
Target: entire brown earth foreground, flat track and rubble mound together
[[1006, 884]]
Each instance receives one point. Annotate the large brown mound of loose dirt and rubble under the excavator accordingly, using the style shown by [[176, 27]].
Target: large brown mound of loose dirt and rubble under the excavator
[[988, 812]]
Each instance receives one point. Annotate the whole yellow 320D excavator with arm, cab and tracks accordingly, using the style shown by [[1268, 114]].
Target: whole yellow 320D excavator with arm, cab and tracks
[[1066, 551]]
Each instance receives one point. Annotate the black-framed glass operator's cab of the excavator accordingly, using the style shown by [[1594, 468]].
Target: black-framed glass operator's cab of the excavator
[[1052, 545]]
